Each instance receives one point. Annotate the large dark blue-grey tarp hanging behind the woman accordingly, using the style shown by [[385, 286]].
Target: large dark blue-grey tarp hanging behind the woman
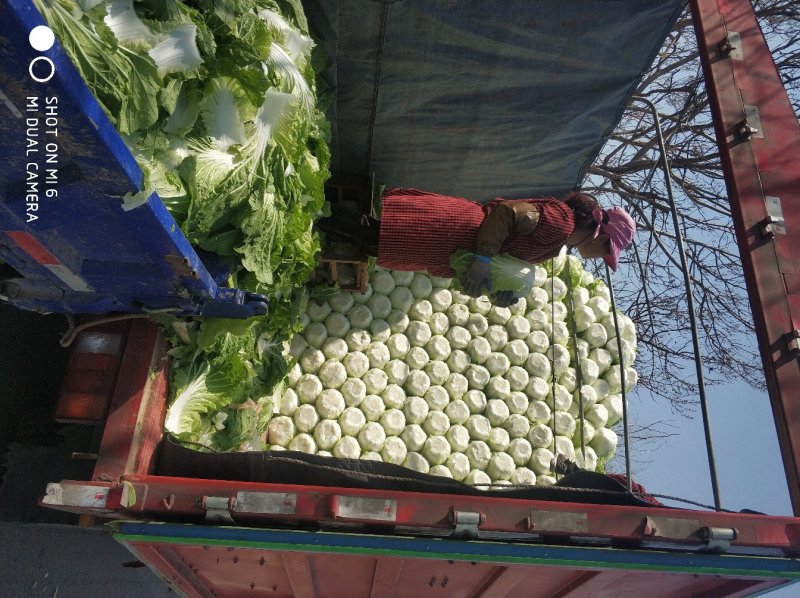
[[481, 99]]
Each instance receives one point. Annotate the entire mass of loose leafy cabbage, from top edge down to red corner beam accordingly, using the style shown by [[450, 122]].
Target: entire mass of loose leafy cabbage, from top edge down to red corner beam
[[217, 101]]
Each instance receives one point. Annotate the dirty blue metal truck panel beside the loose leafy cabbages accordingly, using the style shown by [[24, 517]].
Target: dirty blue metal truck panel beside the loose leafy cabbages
[[65, 229]]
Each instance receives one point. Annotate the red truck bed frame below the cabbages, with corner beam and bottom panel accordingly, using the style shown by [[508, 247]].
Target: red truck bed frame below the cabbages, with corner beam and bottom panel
[[311, 540]]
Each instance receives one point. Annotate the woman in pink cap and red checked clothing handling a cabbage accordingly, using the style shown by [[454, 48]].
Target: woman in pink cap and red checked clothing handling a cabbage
[[419, 231]]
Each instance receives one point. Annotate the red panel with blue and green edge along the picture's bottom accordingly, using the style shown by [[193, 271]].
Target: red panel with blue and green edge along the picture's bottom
[[201, 561]]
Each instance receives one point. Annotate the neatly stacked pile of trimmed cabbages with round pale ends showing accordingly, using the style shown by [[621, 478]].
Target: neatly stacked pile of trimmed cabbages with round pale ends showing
[[416, 373]]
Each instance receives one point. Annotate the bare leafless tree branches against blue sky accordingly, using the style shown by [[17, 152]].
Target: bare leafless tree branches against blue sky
[[627, 172]]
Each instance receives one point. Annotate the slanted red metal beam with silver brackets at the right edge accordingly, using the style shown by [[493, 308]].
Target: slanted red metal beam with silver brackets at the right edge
[[759, 141]]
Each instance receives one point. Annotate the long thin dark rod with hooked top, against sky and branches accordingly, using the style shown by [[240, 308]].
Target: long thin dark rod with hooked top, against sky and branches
[[689, 301]]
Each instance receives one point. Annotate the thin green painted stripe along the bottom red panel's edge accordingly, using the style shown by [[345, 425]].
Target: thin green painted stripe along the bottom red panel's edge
[[505, 559]]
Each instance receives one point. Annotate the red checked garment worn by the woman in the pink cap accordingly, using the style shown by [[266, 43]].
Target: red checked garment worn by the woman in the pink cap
[[420, 230]]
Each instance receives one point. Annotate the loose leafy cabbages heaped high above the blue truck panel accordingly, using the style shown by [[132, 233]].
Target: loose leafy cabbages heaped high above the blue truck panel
[[217, 101]]
